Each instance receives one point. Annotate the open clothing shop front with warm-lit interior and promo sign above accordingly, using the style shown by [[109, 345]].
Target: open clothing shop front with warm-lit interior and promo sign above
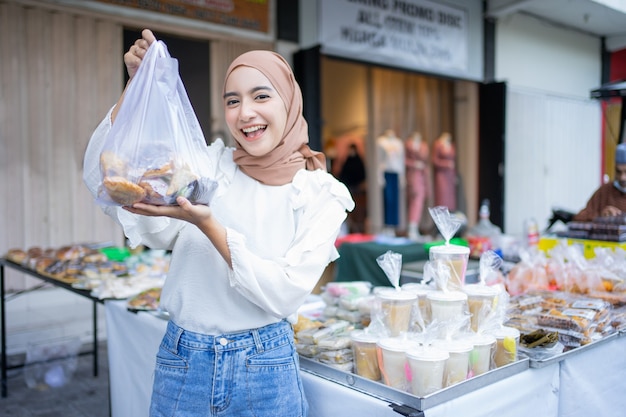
[[388, 73]]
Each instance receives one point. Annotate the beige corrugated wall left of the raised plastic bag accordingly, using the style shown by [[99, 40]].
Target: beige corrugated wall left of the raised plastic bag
[[59, 74]]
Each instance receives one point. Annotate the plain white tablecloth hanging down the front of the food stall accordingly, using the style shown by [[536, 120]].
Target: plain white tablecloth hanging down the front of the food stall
[[590, 383]]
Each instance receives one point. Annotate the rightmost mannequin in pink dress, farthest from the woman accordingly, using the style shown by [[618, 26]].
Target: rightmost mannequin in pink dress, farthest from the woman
[[444, 165]]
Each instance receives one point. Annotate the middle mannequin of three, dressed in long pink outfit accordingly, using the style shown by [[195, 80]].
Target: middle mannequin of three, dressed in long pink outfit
[[416, 164]]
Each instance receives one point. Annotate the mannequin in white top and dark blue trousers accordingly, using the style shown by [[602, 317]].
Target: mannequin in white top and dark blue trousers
[[391, 176]]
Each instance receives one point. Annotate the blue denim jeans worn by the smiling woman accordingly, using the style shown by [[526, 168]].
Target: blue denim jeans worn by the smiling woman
[[251, 373]]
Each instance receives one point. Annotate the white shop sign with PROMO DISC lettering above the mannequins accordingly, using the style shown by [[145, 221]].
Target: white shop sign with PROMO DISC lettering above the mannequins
[[415, 34]]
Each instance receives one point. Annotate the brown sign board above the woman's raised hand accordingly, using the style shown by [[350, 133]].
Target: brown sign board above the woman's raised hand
[[242, 14]]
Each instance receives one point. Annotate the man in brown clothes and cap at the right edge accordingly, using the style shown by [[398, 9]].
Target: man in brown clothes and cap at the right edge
[[610, 198]]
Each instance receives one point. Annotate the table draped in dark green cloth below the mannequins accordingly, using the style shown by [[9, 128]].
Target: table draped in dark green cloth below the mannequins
[[357, 261]]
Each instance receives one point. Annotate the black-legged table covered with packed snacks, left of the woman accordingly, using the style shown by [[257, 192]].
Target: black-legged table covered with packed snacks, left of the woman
[[90, 271]]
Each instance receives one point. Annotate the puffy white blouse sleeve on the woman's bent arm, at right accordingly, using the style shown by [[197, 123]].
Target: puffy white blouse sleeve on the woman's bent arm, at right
[[279, 286]]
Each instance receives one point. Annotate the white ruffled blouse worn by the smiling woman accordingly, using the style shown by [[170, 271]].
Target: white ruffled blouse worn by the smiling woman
[[281, 238]]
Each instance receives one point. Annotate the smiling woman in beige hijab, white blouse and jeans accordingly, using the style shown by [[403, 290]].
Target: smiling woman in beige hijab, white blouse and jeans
[[241, 267]]
